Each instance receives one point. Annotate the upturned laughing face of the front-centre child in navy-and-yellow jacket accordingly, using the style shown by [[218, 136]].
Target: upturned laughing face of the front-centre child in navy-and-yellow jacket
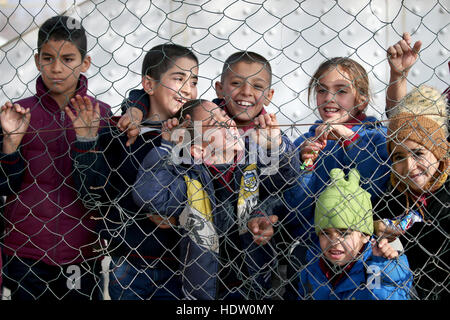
[[221, 138]]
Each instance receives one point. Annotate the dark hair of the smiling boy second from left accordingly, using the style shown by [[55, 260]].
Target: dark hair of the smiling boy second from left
[[161, 58]]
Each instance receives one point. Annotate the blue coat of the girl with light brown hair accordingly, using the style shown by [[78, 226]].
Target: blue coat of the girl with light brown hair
[[368, 154]]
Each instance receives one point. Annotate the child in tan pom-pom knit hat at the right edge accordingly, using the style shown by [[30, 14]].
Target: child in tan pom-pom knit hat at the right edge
[[415, 206]]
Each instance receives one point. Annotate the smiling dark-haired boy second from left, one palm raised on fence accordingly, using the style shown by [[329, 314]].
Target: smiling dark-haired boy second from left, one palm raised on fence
[[143, 247]]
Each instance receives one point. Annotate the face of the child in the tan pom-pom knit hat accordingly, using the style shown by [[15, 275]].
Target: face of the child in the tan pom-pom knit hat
[[414, 164]]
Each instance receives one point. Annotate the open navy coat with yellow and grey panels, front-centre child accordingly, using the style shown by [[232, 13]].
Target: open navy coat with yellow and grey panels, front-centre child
[[187, 192]]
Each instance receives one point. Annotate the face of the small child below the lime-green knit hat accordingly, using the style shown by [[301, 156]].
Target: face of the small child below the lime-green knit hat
[[341, 246]]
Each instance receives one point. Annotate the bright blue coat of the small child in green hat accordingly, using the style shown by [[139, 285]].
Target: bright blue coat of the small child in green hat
[[370, 278]]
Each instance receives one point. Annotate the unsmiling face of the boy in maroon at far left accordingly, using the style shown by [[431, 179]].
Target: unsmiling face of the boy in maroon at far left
[[60, 65]]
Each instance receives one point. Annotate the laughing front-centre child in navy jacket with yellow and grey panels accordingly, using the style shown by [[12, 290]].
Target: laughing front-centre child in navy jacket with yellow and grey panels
[[218, 199]]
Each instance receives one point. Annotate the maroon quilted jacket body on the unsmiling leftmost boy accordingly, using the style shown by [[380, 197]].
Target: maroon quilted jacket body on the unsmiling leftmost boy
[[45, 220]]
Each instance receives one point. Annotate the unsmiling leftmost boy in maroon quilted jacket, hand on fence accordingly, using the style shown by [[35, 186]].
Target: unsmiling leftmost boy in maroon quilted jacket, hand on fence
[[49, 235]]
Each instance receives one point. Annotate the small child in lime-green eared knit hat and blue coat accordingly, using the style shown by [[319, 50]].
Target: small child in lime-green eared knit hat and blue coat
[[351, 264]]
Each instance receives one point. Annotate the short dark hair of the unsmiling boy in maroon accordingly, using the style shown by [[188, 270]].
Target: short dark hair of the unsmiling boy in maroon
[[63, 28]]
